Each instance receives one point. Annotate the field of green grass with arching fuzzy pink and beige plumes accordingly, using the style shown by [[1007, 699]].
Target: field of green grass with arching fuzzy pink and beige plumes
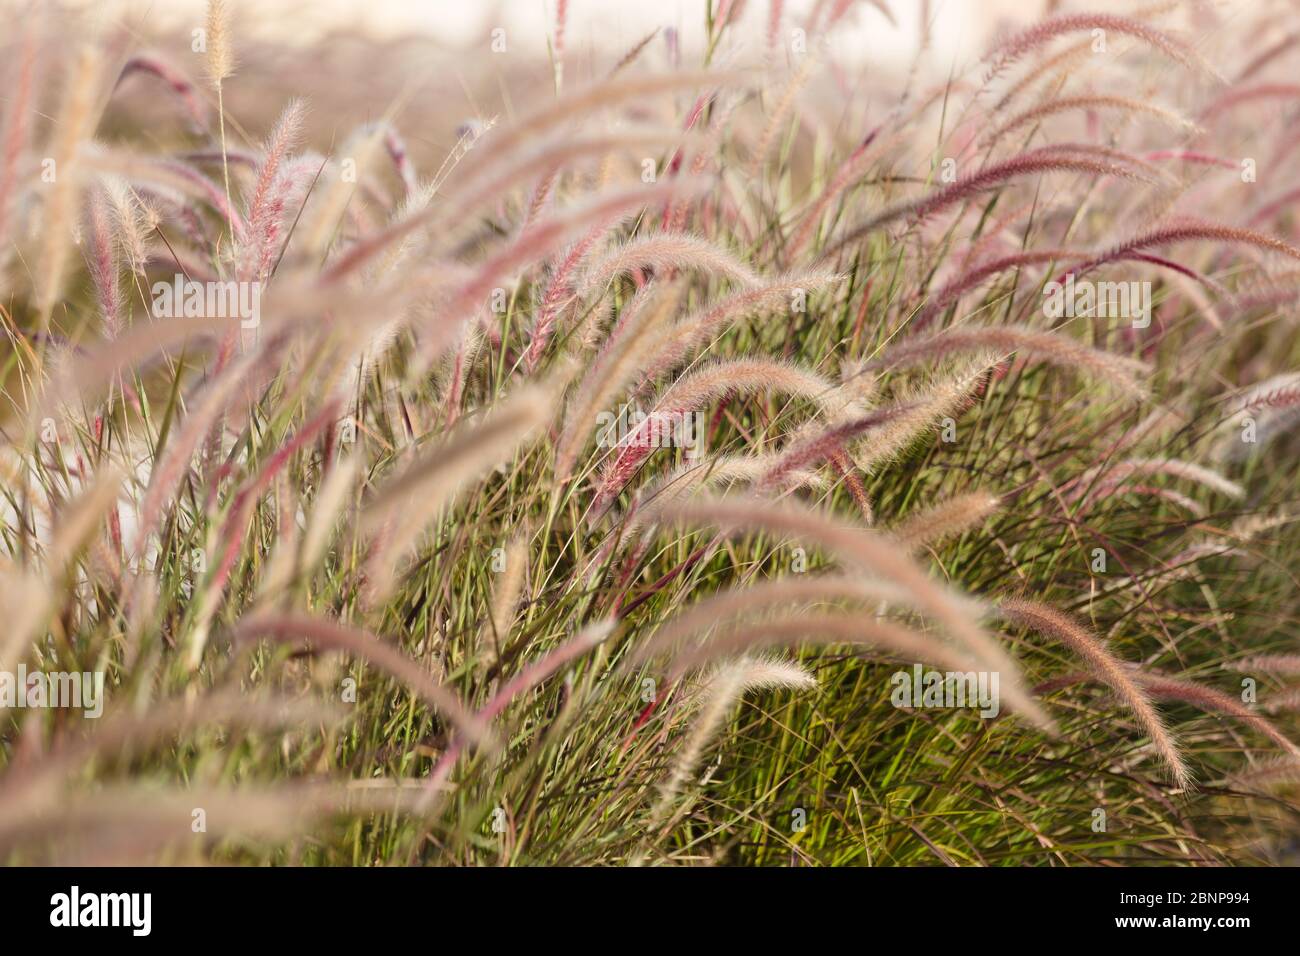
[[580, 475]]
